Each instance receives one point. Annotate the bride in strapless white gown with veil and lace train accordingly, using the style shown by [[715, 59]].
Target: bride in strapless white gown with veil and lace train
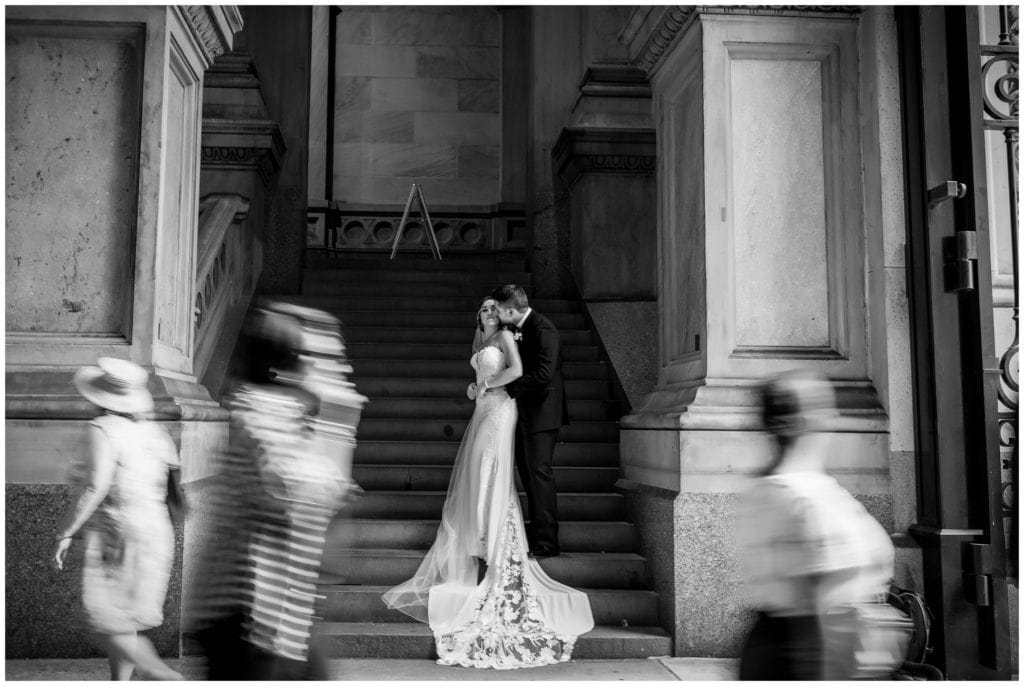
[[518, 616]]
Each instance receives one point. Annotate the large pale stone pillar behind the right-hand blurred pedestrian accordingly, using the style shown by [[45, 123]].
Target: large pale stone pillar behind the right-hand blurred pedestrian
[[761, 232]]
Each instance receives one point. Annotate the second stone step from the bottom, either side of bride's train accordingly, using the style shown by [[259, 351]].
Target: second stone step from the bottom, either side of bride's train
[[364, 604]]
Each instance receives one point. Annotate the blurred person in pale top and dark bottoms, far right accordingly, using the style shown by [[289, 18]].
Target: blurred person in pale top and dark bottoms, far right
[[805, 543]]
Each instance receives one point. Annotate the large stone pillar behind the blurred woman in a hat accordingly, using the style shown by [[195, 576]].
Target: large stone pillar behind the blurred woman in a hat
[[103, 197]]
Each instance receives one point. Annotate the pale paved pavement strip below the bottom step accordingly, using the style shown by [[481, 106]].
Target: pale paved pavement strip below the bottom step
[[655, 669]]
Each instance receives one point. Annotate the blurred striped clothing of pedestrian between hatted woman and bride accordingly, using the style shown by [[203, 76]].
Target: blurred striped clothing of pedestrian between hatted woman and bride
[[276, 496]]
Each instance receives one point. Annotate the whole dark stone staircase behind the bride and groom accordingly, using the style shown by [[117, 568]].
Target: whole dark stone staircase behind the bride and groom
[[409, 326]]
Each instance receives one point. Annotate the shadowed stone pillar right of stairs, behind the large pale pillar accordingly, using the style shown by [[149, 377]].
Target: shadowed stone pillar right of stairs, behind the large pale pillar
[[607, 160]]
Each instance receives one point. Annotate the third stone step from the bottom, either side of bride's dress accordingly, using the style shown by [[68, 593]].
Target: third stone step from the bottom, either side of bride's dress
[[579, 570]]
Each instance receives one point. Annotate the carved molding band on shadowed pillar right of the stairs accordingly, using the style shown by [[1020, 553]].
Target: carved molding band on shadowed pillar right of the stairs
[[585, 150]]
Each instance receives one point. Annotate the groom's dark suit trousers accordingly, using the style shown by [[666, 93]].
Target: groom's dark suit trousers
[[534, 455]]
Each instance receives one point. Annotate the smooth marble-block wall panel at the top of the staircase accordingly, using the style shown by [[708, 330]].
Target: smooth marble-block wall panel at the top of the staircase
[[419, 90]]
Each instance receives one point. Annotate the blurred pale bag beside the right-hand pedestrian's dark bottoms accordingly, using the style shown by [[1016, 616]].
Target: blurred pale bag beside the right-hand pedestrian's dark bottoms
[[867, 640]]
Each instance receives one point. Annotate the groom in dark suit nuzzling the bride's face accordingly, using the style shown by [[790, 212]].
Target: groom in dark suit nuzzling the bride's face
[[540, 396]]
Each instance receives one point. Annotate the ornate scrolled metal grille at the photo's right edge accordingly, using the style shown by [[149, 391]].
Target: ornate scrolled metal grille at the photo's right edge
[[1001, 81]]
